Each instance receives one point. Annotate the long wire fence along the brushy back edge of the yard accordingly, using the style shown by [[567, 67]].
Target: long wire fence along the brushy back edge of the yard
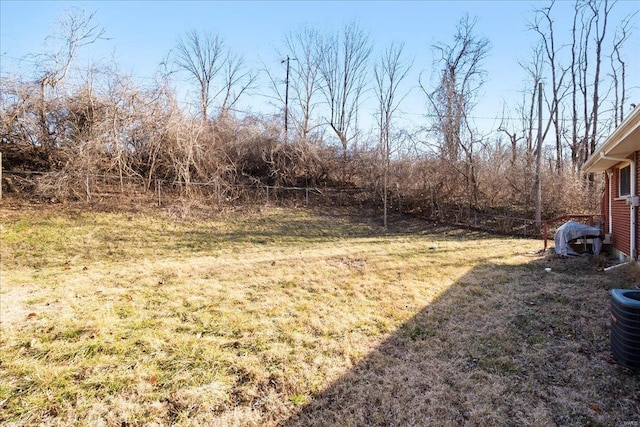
[[101, 188]]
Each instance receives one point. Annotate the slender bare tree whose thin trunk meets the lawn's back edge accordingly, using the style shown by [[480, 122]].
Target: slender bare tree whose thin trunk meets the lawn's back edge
[[389, 73]]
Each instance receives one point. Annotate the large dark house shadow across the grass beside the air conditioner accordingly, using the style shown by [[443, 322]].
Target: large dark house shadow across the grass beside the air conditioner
[[505, 345]]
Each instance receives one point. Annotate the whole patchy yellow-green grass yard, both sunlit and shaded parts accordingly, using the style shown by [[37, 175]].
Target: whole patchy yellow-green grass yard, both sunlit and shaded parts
[[298, 317]]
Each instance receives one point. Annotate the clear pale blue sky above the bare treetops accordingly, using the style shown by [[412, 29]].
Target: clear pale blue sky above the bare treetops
[[142, 32]]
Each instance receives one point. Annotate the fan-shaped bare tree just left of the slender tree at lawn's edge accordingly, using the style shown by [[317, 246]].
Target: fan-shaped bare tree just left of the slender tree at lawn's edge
[[343, 69]]
